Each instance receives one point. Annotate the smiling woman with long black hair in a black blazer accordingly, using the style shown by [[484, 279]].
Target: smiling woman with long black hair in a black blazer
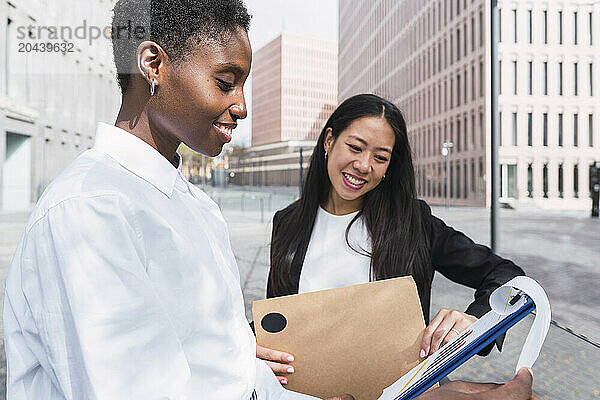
[[358, 220]]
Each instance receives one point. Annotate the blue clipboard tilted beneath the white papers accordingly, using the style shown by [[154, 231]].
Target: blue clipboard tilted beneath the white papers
[[469, 351]]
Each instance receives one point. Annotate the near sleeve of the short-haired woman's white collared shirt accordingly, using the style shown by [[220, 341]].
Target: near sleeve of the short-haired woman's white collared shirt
[[83, 317]]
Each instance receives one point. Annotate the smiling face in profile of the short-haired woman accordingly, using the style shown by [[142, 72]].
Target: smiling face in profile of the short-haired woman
[[200, 99]]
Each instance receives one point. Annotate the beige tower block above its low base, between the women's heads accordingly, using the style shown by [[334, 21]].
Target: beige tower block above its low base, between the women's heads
[[294, 88]]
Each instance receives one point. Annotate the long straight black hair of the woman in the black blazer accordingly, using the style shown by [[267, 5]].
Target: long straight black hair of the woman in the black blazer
[[391, 211]]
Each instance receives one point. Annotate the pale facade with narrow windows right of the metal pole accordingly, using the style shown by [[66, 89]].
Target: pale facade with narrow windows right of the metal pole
[[548, 101]]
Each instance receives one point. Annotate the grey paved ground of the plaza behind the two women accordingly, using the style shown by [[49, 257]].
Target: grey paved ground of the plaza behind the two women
[[560, 250]]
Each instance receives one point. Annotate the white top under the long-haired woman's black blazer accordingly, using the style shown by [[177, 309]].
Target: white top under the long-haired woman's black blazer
[[329, 261]]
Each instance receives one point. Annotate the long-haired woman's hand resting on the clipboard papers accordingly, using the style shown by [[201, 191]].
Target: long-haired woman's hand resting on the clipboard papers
[[446, 325]]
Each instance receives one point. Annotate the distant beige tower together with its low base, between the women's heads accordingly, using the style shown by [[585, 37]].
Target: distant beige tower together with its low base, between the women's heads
[[294, 91]]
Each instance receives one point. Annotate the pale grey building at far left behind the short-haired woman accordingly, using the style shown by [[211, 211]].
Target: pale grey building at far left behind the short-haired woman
[[54, 87]]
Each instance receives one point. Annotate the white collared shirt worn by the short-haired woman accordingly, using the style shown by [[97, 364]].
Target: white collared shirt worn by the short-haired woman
[[124, 286]]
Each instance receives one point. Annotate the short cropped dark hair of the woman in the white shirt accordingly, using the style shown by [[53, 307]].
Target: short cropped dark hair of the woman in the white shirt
[[175, 25]]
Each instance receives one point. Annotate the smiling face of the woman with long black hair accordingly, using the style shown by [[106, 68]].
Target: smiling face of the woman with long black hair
[[357, 161]]
